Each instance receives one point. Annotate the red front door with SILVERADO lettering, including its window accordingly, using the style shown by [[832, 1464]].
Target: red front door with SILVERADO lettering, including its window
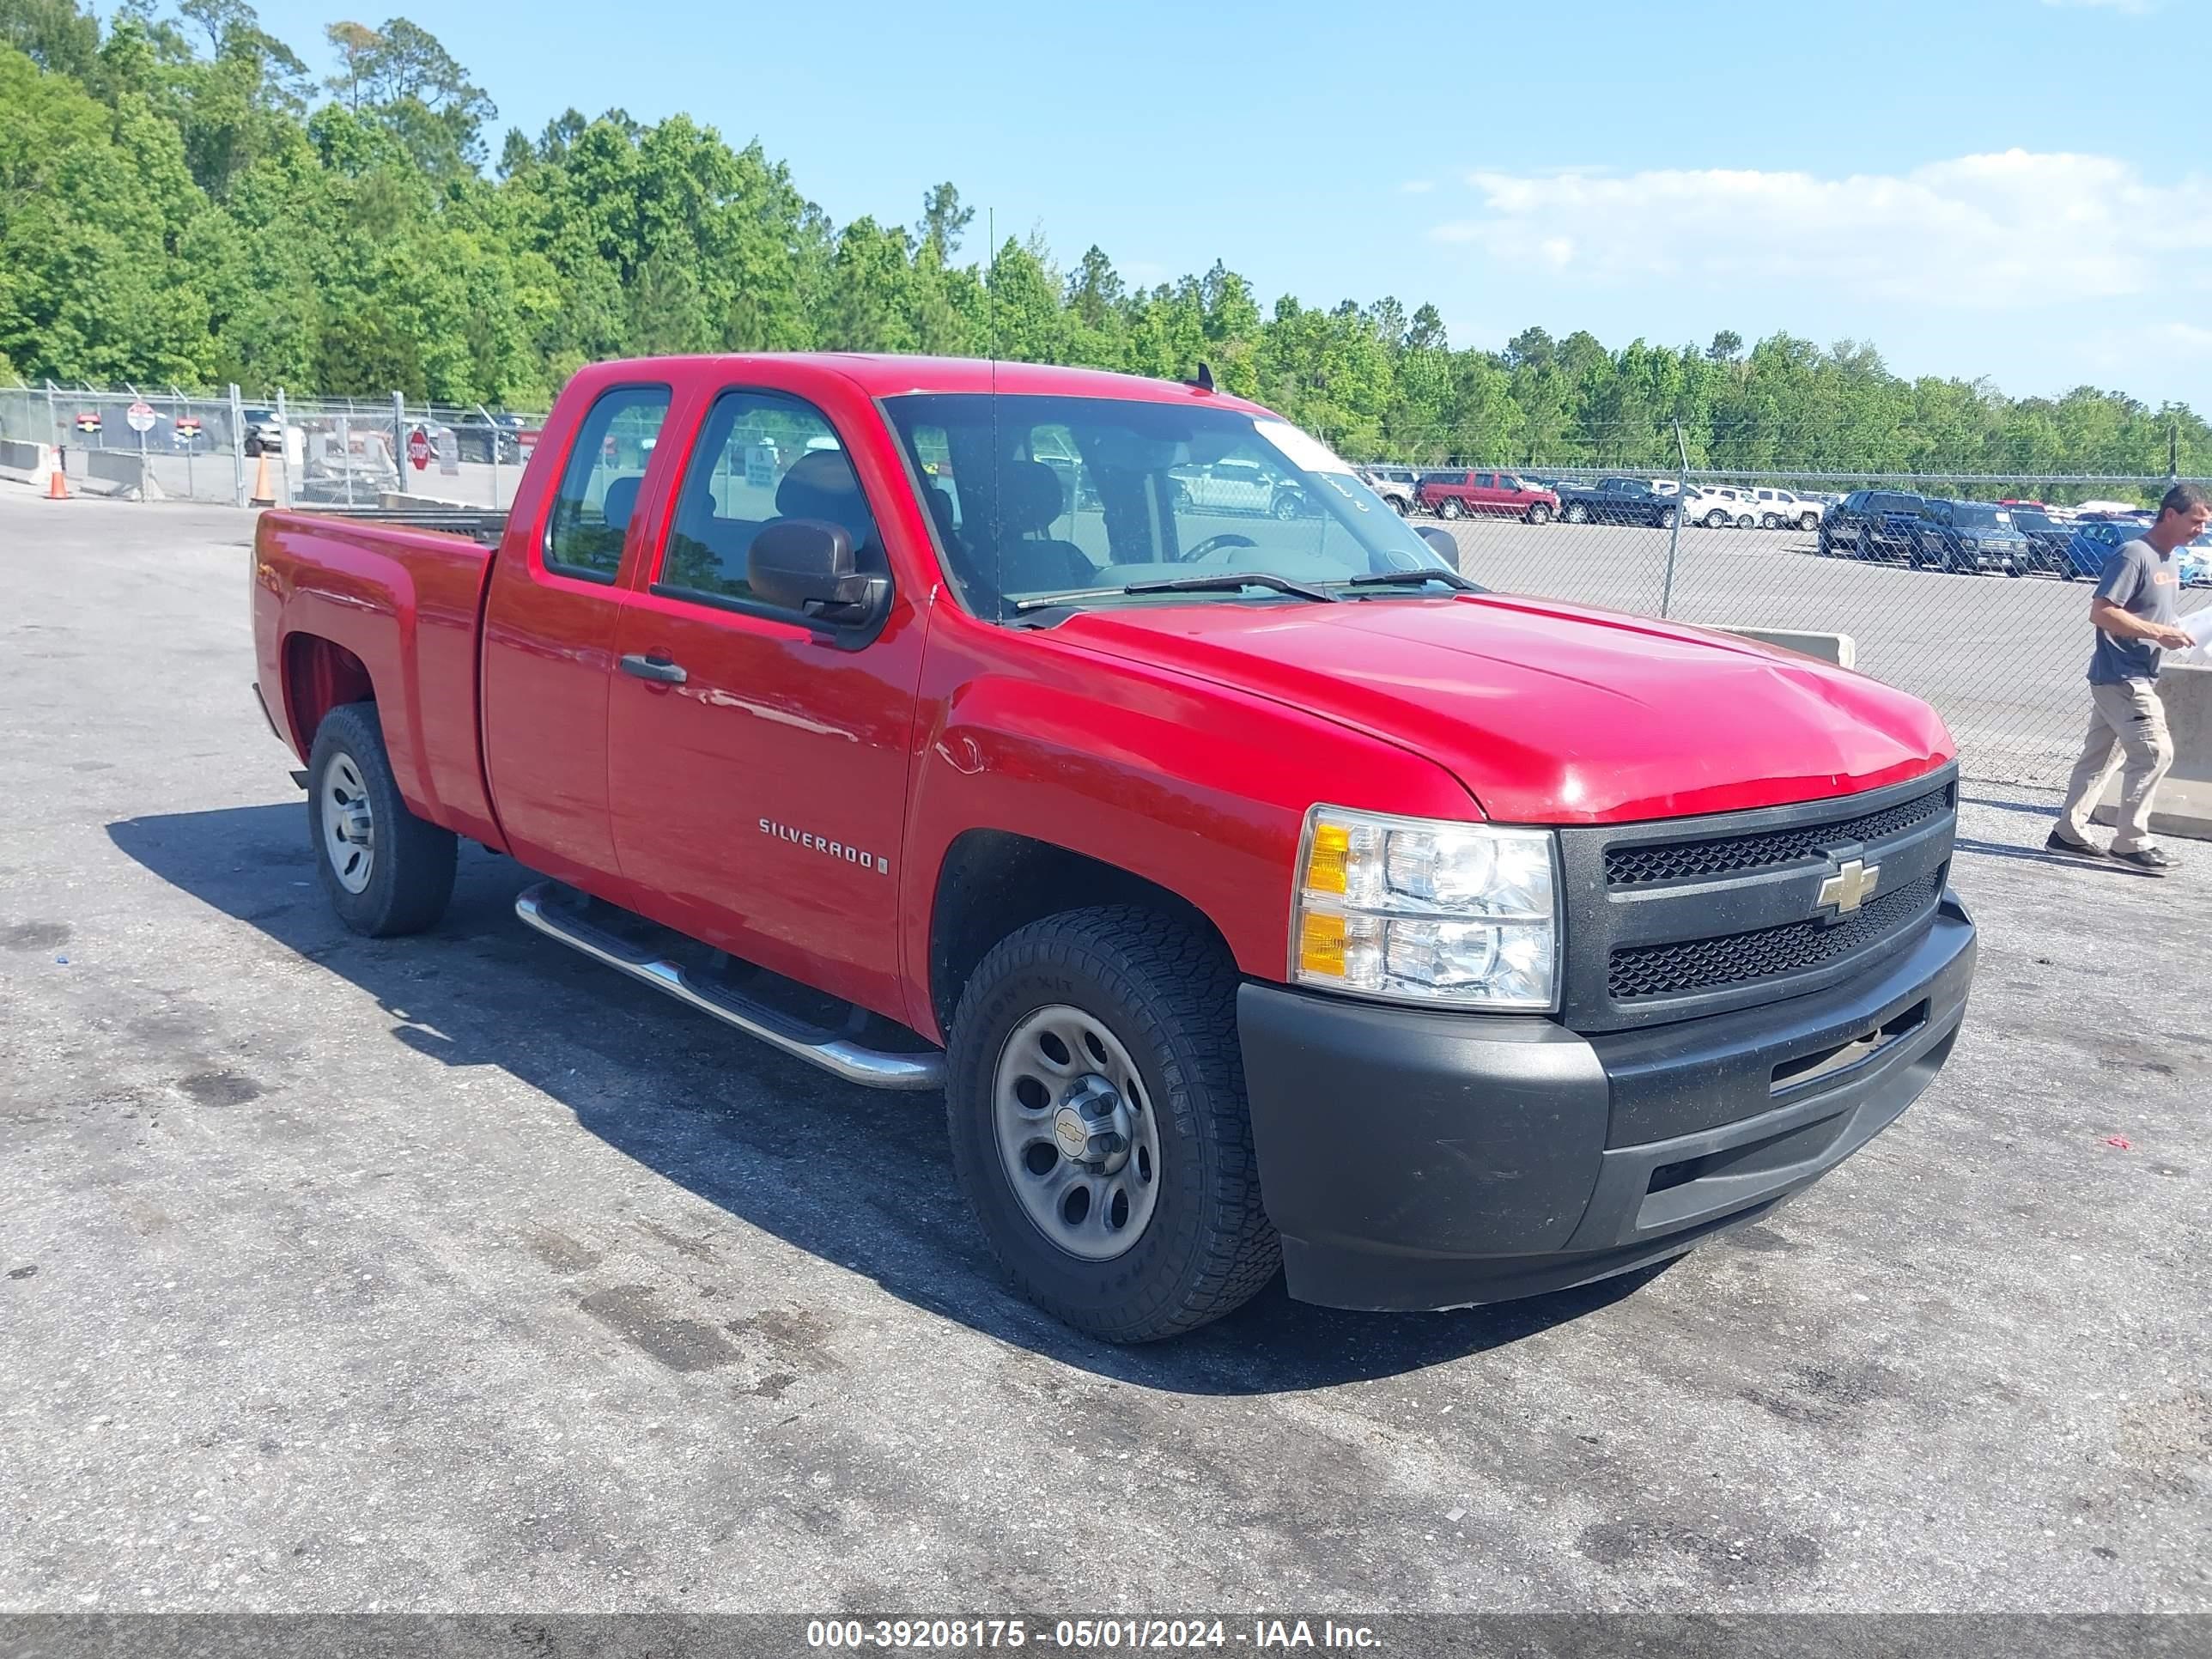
[[758, 771]]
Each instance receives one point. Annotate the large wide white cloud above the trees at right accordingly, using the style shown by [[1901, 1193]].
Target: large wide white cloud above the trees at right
[[1981, 231]]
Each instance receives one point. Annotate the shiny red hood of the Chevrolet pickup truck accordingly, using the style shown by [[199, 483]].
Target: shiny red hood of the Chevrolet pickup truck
[[1552, 713]]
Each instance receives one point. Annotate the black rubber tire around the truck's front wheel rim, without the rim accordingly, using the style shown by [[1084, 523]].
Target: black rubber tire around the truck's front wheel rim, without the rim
[[1169, 997]]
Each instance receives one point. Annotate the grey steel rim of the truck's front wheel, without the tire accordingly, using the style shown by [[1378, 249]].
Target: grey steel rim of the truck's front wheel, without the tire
[[1063, 1065]]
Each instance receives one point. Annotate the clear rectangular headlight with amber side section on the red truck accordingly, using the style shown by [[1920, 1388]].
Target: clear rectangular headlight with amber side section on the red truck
[[1415, 910]]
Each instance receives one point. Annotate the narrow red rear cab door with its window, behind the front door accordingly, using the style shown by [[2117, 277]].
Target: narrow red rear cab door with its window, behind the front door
[[550, 638]]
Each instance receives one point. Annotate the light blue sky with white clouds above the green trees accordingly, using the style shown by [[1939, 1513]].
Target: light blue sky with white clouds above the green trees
[[1990, 187]]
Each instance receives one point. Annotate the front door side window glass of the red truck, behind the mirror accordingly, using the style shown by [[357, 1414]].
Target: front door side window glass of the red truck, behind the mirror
[[762, 457]]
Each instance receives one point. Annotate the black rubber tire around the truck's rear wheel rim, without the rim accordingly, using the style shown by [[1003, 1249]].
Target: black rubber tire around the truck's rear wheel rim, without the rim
[[413, 873]]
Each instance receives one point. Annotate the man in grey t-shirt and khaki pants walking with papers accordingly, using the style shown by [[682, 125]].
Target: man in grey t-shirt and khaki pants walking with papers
[[2133, 614]]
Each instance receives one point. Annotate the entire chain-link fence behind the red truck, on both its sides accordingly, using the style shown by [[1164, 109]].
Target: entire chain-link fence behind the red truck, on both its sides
[[1965, 589]]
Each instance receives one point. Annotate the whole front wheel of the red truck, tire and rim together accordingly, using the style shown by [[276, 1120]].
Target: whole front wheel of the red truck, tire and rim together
[[1098, 1123]]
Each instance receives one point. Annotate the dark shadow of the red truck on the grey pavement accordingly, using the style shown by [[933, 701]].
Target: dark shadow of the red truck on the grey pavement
[[846, 1173]]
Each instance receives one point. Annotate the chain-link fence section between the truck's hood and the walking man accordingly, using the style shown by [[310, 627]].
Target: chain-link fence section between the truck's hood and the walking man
[[1954, 589]]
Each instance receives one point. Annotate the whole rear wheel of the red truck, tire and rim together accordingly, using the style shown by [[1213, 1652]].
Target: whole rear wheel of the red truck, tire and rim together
[[384, 868]]
